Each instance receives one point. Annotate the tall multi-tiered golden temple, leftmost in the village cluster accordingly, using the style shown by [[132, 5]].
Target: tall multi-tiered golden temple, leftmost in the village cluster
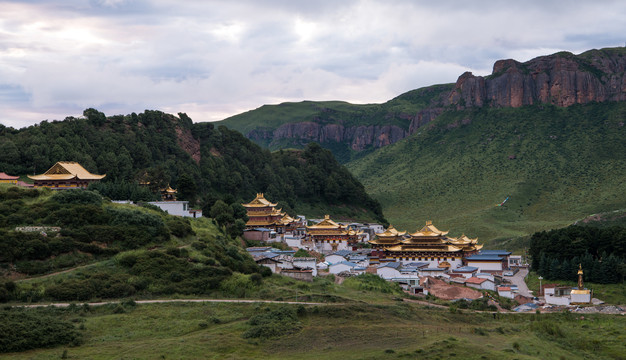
[[263, 214]]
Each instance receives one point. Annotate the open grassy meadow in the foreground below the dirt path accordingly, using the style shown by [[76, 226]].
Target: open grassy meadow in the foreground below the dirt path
[[216, 331]]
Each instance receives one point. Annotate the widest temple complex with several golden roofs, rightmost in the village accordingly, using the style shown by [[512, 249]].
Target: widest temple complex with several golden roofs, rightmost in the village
[[429, 245]]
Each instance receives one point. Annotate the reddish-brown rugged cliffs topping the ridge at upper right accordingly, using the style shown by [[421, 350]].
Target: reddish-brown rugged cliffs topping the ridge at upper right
[[562, 79]]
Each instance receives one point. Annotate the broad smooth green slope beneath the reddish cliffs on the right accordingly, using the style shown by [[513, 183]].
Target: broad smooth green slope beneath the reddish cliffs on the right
[[557, 165]]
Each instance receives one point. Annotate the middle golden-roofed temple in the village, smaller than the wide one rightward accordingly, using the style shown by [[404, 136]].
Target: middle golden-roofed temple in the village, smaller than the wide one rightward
[[329, 236]]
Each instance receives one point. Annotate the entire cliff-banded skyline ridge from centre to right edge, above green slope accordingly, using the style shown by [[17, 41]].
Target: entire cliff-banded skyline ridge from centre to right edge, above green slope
[[352, 131]]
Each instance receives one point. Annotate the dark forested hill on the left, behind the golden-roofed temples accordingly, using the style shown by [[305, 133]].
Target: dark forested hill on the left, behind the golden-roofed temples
[[203, 162]]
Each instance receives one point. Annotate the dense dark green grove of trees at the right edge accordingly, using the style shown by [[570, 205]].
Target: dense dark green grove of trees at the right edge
[[557, 254]]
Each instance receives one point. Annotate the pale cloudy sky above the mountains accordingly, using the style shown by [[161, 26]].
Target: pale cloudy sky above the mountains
[[213, 59]]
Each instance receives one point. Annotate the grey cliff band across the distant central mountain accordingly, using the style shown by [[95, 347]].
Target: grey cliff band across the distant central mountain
[[359, 137]]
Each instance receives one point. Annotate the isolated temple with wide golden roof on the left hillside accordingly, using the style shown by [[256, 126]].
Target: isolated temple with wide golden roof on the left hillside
[[65, 175]]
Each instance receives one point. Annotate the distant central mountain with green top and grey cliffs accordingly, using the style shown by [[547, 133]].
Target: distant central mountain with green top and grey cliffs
[[349, 130]]
